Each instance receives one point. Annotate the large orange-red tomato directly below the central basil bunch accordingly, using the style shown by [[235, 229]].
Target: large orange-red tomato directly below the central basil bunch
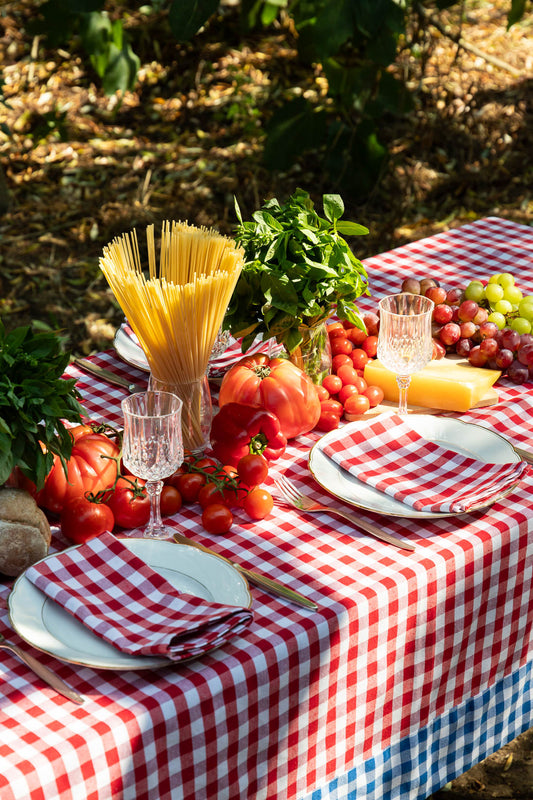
[[276, 384]]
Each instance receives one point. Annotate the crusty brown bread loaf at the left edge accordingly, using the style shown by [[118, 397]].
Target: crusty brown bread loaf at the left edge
[[24, 531]]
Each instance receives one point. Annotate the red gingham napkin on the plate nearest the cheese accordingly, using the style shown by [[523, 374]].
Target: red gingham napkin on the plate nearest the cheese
[[392, 458]]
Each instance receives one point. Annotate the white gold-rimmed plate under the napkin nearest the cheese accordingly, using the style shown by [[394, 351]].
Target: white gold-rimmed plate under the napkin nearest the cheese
[[462, 437]]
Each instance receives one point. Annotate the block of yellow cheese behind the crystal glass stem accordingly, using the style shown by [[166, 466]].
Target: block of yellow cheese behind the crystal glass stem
[[447, 384]]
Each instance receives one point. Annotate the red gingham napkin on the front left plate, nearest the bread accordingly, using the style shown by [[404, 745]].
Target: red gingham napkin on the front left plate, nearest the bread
[[123, 600]]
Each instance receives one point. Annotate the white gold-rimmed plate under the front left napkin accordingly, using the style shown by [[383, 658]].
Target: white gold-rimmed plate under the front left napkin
[[48, 627]]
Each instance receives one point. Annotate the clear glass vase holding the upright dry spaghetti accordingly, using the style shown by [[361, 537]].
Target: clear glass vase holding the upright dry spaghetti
[[197, 410]]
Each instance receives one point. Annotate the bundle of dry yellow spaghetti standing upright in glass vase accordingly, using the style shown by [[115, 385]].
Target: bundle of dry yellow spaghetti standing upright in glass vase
[[177, 306]]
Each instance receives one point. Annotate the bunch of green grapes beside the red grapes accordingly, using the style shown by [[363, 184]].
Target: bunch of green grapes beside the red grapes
[[507, 306]]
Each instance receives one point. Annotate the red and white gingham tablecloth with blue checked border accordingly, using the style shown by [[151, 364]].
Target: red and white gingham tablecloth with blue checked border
[[416, 665]]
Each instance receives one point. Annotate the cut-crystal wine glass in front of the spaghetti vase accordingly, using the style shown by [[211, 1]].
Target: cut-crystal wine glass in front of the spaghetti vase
[[152, 447]]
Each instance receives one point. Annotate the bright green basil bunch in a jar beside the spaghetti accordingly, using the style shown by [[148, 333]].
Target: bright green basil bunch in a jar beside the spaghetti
[[298, 269]]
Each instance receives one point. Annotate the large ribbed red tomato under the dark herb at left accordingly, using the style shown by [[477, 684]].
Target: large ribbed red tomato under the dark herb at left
[[90, 468]]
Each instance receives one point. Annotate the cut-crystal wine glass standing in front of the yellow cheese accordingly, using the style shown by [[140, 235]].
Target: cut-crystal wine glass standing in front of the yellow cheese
[[405, 343]]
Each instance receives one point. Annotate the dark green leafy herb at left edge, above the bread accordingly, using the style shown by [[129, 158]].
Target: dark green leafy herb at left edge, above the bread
[[34, 402]]
